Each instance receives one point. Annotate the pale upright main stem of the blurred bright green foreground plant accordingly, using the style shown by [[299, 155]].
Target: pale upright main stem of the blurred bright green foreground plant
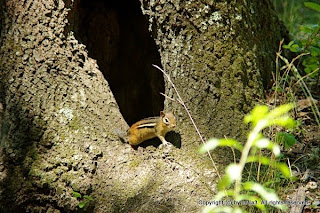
[[245, 152]]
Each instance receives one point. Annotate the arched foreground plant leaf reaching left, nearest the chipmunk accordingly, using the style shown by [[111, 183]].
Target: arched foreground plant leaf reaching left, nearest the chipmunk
[[214, 143]]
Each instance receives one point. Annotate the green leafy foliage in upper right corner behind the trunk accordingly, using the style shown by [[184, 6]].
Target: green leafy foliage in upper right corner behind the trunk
[[302, 19]]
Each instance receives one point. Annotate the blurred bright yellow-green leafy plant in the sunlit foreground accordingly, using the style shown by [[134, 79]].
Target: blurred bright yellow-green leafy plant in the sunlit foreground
[[232, 190]]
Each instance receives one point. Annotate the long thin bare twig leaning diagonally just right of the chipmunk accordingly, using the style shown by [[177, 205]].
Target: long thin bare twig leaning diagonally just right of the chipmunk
[[185, 107]]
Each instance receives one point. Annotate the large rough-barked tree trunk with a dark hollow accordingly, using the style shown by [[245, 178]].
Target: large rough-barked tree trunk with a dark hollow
[[59, 107]]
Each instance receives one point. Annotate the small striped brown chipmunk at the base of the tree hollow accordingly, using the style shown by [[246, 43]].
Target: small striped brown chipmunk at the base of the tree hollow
[[150, 128]]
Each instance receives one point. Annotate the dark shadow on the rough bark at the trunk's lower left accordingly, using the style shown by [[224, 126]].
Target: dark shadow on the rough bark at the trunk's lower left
[[20, 146]]
